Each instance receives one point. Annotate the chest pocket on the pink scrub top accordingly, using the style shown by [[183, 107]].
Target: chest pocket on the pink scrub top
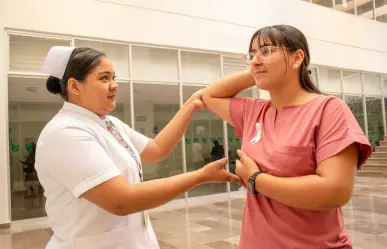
[[290, 161]]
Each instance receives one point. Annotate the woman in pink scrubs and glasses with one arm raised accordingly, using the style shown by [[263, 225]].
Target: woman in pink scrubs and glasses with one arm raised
[[300, 149]]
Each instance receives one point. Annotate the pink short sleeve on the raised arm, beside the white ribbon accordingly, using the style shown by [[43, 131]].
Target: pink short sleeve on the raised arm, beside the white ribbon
[[243, 109]]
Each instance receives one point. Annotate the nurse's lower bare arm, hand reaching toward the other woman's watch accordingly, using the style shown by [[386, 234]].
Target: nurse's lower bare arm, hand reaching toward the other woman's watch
[[118, 197]]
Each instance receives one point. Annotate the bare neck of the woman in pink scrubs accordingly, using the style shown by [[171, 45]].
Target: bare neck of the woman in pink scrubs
[[286, 95]]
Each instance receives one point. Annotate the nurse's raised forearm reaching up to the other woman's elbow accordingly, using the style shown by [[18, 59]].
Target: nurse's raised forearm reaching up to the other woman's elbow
[[170, 136]]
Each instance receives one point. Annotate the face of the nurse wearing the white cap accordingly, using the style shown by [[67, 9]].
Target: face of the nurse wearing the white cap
[[98, 91]]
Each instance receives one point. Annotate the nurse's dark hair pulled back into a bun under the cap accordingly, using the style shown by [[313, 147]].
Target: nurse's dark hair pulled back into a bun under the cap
[[81, 63]]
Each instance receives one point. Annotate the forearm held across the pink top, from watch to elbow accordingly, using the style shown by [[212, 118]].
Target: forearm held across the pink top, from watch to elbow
[[310, 192]]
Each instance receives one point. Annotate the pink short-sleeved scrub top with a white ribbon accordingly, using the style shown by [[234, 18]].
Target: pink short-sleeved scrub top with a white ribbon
[[293, 145]]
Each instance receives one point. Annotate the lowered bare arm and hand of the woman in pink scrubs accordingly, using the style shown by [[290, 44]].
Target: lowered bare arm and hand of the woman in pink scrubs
[[331, 187]]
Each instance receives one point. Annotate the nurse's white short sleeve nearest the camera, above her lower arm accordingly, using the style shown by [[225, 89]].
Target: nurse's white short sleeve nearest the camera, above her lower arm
[[75, 158]]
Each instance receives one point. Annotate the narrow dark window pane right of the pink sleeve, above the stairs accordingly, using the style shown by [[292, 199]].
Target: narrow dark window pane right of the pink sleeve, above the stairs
[[375, 120]]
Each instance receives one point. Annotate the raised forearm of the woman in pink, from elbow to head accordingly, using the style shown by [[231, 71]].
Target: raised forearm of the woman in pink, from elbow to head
[[229, 86]]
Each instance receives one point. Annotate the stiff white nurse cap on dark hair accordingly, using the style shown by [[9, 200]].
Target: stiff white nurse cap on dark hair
[[56, 61]]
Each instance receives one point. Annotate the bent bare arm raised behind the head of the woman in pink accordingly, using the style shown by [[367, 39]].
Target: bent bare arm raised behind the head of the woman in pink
[[217, 96]]
